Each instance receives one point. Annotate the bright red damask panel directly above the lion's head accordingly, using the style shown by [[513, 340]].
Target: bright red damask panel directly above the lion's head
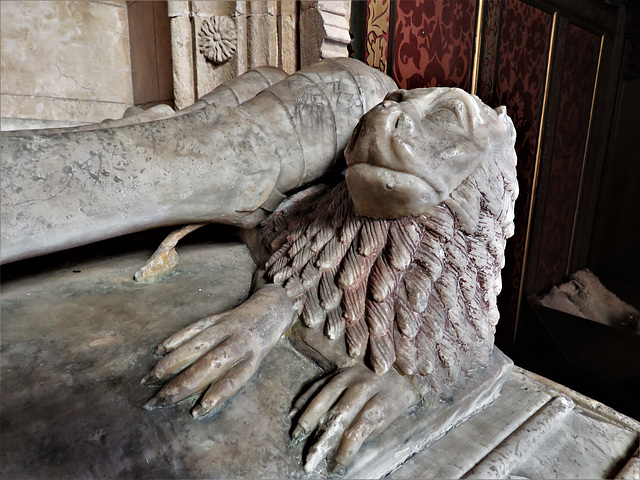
[[433, 44]]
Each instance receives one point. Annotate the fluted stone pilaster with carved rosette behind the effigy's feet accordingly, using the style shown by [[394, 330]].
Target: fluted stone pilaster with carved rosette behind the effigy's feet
[[284, 34]]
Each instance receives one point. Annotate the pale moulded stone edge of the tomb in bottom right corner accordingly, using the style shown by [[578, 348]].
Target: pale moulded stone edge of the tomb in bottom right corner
[[587, 440]]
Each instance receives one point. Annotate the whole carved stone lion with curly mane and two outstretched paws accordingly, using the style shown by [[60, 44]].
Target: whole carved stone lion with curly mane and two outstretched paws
[[399, 267]]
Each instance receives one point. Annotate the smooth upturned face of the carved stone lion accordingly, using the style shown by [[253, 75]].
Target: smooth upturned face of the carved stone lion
[[413, 149]]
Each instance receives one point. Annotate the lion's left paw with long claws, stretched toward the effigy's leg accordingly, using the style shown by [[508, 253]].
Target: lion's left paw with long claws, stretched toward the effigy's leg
[[221, 352]]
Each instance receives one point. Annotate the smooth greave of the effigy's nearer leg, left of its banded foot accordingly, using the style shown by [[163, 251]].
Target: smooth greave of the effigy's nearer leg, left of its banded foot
[[70, 189]]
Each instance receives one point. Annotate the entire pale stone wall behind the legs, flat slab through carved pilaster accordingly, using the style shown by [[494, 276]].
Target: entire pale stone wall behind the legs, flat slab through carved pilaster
[[88, 60]]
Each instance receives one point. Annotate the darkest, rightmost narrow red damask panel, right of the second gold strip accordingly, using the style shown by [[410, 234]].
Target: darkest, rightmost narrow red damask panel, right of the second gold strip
[[578, 79]]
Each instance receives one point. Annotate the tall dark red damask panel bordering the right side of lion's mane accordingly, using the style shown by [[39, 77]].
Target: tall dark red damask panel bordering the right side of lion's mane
[[520, 85]]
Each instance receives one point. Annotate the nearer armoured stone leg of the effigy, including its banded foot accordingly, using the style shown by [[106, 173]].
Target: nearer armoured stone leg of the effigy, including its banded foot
[[214, 164]]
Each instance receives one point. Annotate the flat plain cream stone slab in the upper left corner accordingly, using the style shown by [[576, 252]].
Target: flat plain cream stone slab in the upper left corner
[[65, 60]]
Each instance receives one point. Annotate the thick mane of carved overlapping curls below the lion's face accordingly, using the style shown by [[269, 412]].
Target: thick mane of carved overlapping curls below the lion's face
[[417, 293]]
